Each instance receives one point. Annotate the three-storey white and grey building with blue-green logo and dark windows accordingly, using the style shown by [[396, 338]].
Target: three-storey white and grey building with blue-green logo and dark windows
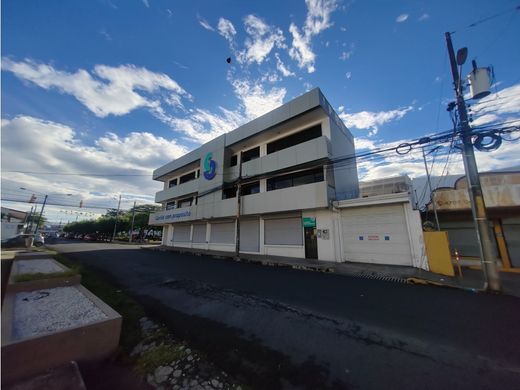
[[290, 165]]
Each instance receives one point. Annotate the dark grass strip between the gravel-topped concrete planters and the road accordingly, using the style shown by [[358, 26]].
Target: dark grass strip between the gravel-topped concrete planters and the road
[[101, 286]]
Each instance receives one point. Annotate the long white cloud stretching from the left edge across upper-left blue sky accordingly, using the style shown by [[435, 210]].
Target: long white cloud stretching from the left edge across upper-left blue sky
[[107, 90]]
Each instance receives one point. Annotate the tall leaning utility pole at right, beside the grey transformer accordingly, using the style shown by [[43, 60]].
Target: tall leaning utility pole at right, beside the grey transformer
[[478, 207]]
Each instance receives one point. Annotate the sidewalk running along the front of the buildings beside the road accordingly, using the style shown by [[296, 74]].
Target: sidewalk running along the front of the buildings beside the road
[[472, 279]]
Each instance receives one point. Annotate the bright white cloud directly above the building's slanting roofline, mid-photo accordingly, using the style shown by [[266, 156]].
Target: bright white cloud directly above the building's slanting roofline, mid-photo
[[255, 100]]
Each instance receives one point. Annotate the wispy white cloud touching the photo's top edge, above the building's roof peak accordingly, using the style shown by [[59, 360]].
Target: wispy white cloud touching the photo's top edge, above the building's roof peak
[[318, 19]]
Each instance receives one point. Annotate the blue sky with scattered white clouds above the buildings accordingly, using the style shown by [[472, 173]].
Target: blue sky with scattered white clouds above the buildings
[[97, 94]]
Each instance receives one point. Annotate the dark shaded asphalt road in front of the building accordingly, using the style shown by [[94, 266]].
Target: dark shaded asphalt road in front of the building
[[276, 327]]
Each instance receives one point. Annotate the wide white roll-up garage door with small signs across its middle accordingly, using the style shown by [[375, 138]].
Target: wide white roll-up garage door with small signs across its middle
[[376, 234]]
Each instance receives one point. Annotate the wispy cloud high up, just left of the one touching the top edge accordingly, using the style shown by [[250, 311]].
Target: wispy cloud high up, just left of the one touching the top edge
[[261, 40]]
